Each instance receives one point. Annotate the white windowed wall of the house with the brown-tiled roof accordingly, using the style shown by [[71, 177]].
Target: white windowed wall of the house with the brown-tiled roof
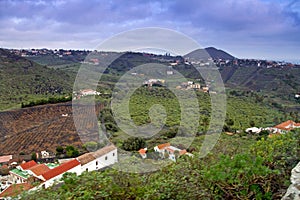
[[103, 161]]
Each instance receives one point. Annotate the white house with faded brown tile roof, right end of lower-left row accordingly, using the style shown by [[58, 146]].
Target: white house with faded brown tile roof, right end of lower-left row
[[99, 159]]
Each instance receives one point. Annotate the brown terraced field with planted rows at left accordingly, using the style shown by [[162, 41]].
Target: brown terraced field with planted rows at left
[[44, 128]]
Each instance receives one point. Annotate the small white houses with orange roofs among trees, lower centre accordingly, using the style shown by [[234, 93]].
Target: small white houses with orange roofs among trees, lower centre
[[166, 150]]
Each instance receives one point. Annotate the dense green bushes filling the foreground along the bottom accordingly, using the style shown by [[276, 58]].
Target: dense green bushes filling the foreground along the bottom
[[228, 172]]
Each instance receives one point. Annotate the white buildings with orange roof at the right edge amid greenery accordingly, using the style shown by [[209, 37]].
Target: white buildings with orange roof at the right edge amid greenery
[[281, 128]]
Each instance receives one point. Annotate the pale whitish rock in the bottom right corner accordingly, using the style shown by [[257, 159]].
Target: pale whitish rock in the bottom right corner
[[293, 192]]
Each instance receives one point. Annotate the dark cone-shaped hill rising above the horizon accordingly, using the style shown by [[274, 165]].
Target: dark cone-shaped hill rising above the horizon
[[209, 52]]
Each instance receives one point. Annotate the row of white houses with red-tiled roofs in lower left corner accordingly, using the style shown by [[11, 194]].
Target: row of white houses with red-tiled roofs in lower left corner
[[23, 176]]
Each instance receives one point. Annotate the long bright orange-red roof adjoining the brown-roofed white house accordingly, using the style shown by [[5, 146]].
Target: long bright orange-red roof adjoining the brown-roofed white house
[[61, 169]]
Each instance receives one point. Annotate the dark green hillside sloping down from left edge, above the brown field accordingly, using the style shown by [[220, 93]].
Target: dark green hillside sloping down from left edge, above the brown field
[[22, 80]]
